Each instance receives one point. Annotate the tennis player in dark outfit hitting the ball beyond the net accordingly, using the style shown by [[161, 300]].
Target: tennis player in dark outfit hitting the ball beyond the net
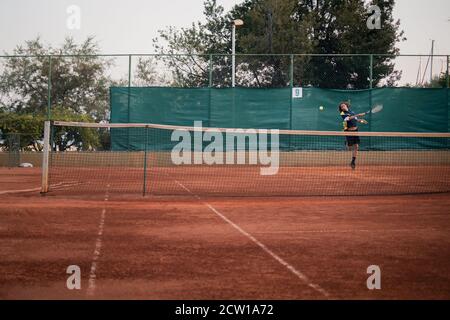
[[351, 124]]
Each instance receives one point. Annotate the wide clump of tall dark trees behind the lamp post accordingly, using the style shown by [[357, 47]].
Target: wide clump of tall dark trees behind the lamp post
[[289, 26]]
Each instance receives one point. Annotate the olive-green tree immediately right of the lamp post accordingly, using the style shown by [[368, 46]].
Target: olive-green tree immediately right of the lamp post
[[270, 28]]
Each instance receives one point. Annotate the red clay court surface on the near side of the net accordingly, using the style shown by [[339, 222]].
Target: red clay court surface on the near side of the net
[[185, 247]]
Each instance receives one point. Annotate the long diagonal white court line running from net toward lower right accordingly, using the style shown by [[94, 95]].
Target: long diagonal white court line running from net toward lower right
[[296, 272]]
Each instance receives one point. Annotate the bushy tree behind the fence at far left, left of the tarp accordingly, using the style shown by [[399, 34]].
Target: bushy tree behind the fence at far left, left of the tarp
[[78, 81]]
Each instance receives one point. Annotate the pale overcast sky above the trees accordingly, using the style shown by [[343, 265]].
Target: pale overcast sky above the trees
[[129, 26]]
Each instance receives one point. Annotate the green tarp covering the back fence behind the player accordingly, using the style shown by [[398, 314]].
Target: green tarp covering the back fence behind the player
[[404, 110]]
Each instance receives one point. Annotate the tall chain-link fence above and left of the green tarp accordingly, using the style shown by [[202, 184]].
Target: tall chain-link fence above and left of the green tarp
[[77, 87]]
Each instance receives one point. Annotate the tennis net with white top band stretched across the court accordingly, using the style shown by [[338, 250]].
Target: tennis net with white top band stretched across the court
[[150, 159]]
